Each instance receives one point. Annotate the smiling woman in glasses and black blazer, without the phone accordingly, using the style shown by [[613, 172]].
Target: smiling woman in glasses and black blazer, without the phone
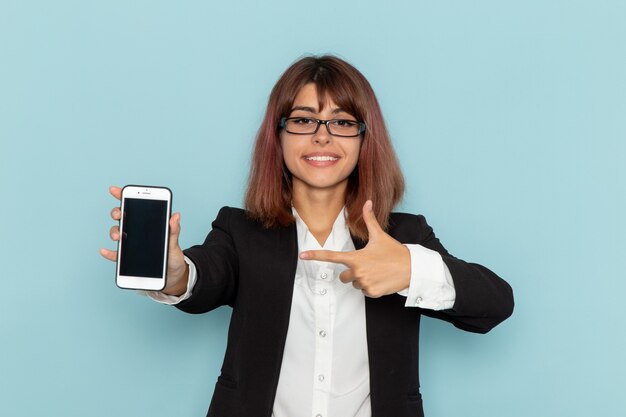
[[327, 285]]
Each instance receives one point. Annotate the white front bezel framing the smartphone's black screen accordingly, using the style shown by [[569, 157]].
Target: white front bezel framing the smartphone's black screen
[[147, 193]]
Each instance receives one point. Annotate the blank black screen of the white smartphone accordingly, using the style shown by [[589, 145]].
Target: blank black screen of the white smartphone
[[143, 238]]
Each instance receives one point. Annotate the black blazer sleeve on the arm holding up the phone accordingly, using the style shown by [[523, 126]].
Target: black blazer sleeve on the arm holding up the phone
[[216, 264]]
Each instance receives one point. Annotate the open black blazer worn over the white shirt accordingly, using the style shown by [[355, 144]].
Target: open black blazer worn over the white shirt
[[252, 269]]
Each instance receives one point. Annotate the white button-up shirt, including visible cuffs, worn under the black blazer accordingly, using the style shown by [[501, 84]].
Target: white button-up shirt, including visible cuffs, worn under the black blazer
[[325, 369]]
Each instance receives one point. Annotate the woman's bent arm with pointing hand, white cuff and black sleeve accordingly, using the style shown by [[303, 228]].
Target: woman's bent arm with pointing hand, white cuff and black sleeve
[[384, 266]]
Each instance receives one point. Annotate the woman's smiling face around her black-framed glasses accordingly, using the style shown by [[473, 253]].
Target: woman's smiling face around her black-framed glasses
[[319, 160]]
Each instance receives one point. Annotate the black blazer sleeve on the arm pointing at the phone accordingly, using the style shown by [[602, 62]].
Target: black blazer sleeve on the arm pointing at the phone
[[483, 299]]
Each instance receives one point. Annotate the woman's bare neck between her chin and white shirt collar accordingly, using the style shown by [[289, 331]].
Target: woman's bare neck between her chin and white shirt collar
[[319, 208]]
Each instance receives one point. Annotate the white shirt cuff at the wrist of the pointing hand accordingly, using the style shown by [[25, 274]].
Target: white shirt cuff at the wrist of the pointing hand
[[431, 283]]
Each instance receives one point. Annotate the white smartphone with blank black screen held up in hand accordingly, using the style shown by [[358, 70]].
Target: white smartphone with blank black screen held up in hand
[[144, 237]]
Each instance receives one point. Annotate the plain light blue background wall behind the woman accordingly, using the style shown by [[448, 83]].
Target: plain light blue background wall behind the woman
[[509, 121]]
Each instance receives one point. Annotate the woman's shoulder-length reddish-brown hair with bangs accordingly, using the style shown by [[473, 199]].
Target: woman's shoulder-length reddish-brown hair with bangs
[[377, 175]]
